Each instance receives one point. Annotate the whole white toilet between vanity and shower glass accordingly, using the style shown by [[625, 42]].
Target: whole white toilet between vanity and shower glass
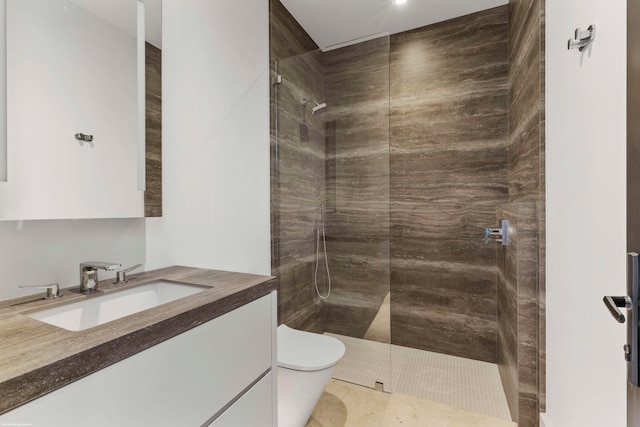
[[305, 365]]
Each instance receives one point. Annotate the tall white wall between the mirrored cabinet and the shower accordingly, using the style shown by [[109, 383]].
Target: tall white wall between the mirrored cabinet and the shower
[[215, 137]]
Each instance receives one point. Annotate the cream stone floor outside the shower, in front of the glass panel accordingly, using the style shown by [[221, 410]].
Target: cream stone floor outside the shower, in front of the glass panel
[[347, 405]]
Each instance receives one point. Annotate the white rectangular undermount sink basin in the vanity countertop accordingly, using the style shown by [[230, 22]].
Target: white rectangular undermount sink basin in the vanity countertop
[[105, 307]]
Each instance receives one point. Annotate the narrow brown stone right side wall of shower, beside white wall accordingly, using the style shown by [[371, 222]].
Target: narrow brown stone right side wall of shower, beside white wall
[[527, 183]]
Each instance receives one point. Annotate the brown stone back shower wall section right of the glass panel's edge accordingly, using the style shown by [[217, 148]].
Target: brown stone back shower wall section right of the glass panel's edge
[[449, 168]]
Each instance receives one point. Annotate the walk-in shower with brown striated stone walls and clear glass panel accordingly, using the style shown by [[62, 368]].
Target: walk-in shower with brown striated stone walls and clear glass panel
[[404, 171]]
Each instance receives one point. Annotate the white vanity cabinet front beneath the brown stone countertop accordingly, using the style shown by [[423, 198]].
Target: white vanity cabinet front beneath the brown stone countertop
[[218, 374]]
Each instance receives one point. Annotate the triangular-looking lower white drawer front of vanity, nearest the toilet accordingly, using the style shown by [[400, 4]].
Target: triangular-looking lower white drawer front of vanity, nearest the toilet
[[254, 408]]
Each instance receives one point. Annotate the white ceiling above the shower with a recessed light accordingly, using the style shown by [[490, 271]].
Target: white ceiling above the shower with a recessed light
[[336, 23]]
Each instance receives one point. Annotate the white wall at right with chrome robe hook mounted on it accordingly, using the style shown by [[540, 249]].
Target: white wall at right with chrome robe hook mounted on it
[[586, 192]]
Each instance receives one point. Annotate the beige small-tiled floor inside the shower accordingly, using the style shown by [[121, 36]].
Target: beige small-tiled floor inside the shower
[[449, 380]]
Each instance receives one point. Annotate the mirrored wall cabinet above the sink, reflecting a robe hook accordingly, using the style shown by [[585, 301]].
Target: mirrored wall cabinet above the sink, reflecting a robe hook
[[83, 109]]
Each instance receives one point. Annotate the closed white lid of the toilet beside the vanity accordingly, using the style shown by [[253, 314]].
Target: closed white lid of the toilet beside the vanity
[[306, 351]]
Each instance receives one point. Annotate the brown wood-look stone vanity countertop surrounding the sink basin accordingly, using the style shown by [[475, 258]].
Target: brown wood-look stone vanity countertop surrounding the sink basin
[[37, 358]]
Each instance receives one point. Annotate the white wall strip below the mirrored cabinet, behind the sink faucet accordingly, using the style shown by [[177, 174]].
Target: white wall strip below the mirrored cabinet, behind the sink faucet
[[42, 252]]
